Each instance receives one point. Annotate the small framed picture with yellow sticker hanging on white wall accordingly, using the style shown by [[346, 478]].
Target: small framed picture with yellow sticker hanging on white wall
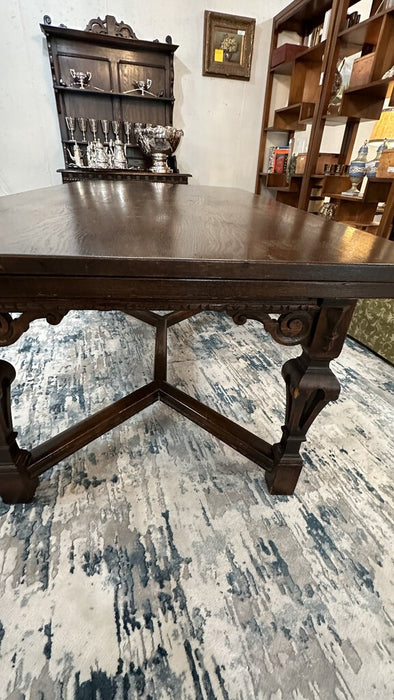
[[228, 45]]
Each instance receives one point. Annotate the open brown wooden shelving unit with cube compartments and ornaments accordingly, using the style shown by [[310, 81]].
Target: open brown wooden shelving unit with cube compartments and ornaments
[[311, 72]]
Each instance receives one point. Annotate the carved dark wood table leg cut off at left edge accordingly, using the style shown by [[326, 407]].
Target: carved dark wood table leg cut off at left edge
[[16, 484]]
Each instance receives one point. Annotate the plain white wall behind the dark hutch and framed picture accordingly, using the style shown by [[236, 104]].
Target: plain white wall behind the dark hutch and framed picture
[[221, 118]]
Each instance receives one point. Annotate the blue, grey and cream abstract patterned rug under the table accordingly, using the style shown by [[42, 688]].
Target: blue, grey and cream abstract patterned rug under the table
[[153, 563]]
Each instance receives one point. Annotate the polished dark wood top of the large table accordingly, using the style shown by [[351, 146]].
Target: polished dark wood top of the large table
[[130, 229]]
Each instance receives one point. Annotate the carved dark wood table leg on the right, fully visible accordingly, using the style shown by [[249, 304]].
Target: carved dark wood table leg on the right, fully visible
[[310, 385]]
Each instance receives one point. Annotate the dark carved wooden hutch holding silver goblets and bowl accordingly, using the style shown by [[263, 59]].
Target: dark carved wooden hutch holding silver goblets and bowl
[[116, 60]]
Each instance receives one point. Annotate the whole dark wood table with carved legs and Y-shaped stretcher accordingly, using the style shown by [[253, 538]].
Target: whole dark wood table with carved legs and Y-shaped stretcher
[[146, 247]]
